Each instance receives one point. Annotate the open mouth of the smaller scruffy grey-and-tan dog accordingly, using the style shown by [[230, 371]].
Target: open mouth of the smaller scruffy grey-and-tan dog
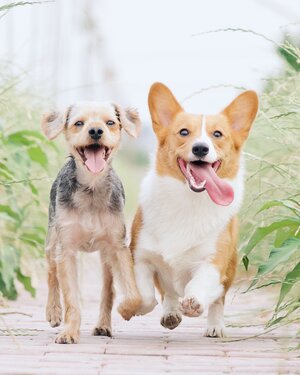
[[94, 156]]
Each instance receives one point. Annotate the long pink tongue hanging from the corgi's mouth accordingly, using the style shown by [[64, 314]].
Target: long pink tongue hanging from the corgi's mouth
[[219, 190]]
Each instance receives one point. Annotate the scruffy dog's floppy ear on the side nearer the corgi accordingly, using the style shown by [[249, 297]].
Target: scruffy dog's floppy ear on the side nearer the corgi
[[129, 120]]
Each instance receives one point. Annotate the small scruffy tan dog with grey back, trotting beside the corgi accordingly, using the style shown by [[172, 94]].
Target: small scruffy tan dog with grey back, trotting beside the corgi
[[86, 213]]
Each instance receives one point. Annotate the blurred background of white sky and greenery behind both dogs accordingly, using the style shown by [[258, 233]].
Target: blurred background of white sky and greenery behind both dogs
[[53, 53]]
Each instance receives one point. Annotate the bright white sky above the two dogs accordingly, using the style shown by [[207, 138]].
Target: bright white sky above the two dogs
[[143, 42]]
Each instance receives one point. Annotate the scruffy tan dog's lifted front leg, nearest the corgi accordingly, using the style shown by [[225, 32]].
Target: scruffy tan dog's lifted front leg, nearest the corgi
[[123, 270]]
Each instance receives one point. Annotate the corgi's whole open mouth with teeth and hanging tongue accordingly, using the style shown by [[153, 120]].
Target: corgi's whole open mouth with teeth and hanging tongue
[[202, 176]]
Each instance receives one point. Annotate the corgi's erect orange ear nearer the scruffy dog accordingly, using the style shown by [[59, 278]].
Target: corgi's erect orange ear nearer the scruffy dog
[[163, 106]]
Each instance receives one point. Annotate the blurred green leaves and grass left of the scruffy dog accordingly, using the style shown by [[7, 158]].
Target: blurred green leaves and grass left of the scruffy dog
[[24, 165]]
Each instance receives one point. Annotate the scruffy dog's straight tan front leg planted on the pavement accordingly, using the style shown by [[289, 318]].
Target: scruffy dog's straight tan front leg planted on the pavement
[[67, 276]]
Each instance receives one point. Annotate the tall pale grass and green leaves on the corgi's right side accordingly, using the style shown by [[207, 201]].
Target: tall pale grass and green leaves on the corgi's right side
[[271, 228]]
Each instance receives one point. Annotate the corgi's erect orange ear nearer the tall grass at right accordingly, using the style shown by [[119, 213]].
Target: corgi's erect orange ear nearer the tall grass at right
[[241, 113]]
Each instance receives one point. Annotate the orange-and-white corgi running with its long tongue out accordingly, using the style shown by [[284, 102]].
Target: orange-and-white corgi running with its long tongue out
[[184, 235]]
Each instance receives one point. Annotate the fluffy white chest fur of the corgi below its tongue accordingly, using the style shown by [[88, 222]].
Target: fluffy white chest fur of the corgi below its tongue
[[176, 220]]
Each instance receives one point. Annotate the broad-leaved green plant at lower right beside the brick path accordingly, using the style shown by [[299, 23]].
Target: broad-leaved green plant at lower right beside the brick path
[[282, 265]]
